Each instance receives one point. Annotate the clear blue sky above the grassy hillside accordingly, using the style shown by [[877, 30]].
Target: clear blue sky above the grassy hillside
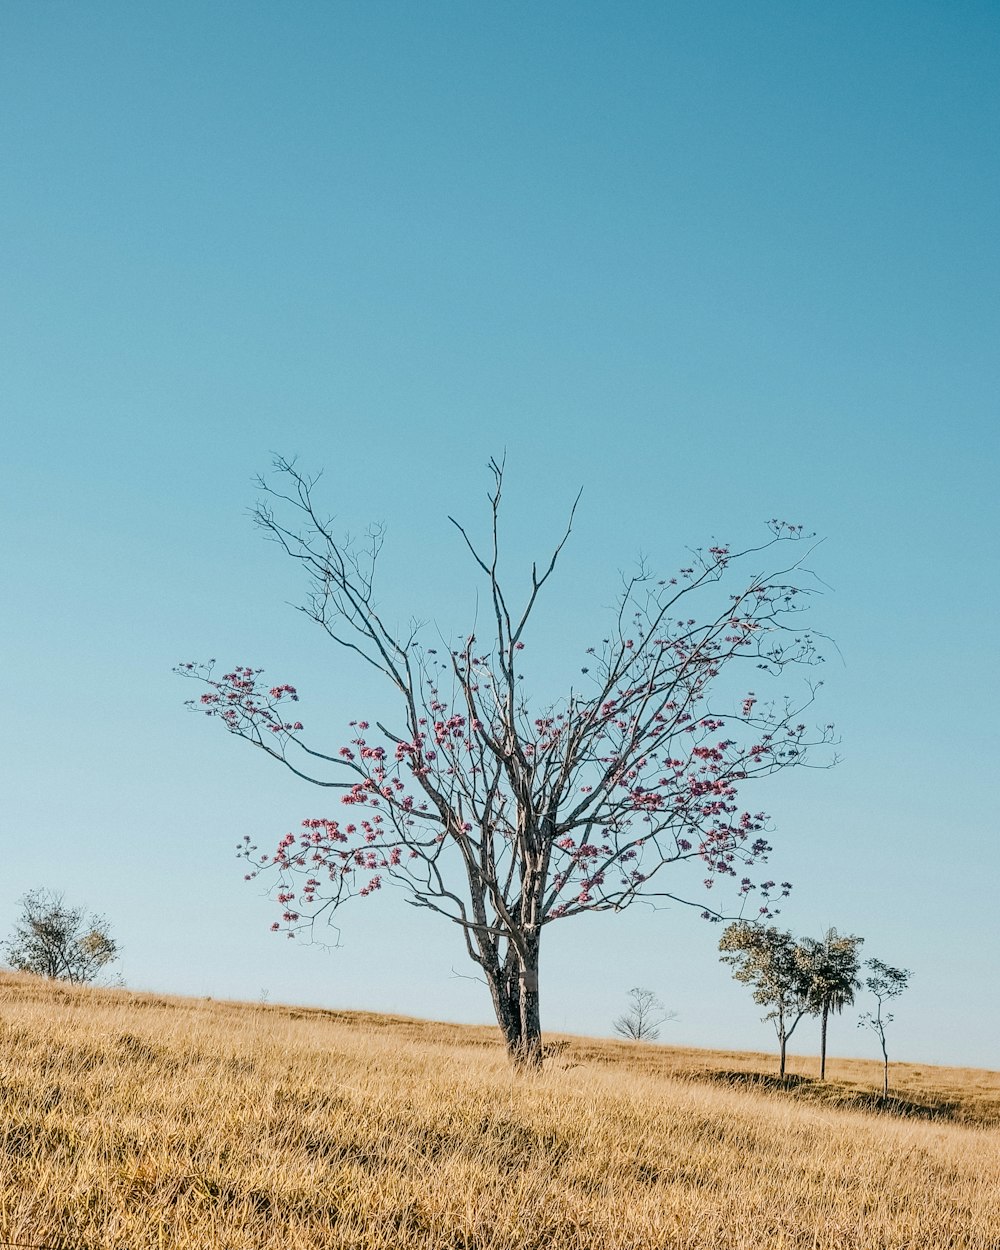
[[714, 263]]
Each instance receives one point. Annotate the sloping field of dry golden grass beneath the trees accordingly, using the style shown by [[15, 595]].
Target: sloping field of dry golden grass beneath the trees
[[137, 1122]]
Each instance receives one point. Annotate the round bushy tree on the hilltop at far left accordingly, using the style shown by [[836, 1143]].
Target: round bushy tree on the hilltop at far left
[[53, 939]]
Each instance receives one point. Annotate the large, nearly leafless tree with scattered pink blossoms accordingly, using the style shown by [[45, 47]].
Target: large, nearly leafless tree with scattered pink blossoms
[[503, 817]]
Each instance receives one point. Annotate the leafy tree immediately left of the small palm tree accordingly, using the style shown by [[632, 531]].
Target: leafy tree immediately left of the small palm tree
[[778, 968]]
